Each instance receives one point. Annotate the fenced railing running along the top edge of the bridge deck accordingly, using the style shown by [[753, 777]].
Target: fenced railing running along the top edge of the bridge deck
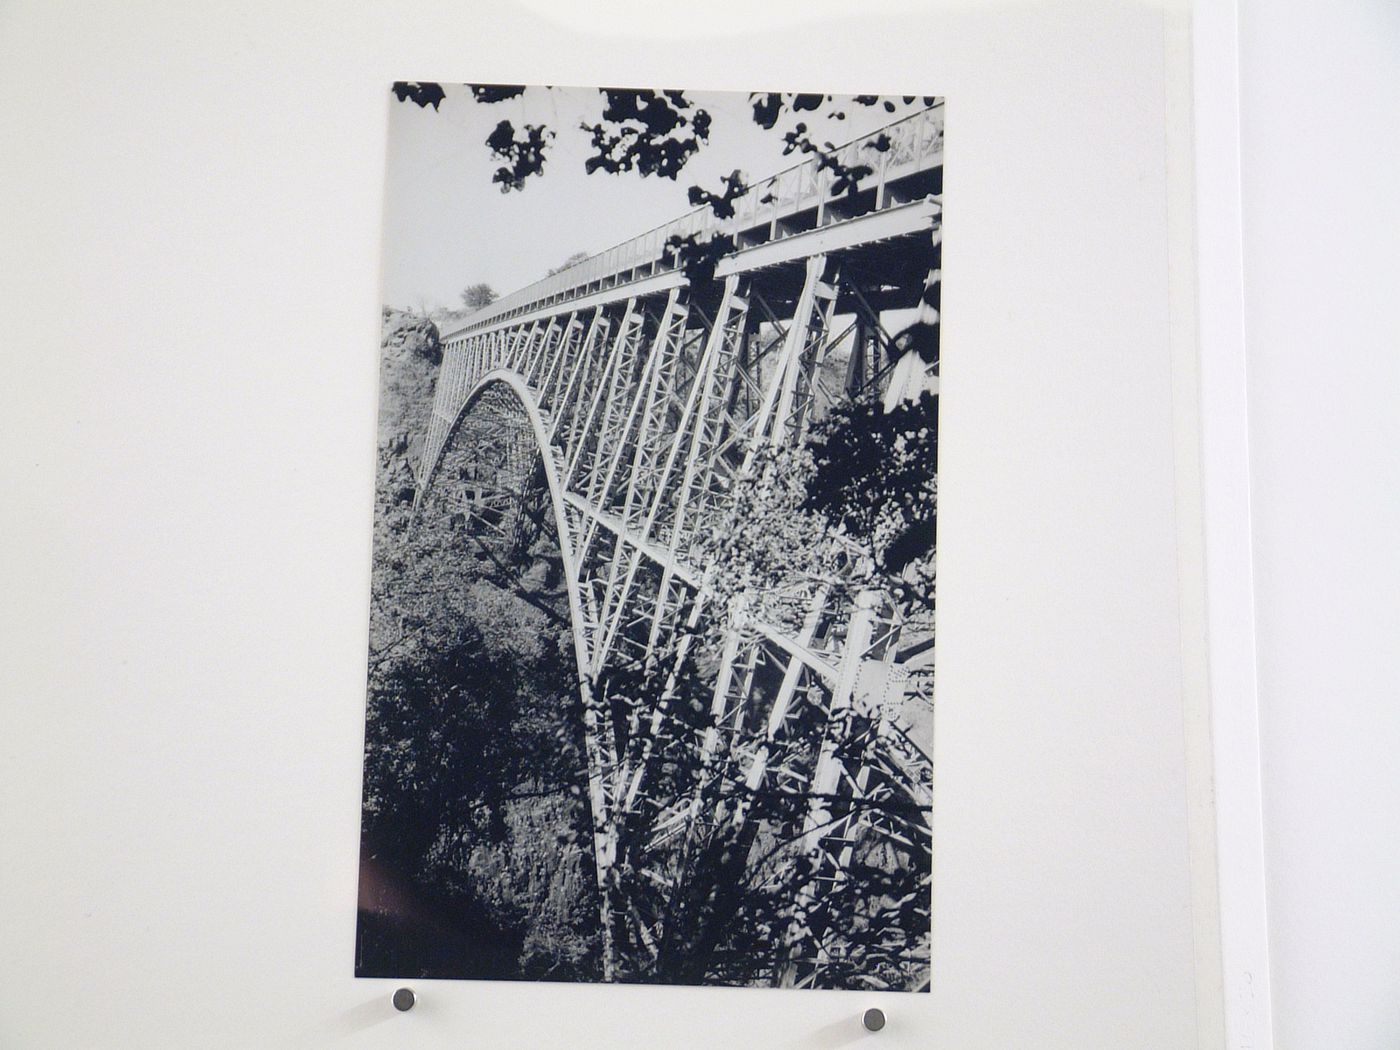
[[892, 152]]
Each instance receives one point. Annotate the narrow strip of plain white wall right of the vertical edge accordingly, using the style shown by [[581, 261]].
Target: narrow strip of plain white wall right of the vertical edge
[[1321, 143]]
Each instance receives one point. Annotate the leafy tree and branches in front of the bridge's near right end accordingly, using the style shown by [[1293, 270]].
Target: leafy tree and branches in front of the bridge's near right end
[[864, 482]]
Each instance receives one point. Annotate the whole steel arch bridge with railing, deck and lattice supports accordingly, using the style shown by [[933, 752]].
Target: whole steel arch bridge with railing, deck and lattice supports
[[621, 402]]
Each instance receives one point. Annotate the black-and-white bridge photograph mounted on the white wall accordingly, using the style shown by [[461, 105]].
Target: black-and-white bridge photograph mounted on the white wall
[[652, 625]]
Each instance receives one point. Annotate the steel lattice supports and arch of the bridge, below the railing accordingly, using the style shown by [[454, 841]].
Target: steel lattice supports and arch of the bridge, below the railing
[[635, 415]]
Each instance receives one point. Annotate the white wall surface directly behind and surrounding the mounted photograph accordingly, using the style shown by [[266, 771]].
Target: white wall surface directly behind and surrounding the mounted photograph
[[190, 215]]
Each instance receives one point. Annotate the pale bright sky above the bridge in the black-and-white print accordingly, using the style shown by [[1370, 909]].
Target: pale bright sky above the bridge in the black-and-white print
[[449, 226]]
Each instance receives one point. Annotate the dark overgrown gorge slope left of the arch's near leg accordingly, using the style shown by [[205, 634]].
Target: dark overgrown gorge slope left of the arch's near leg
[[474, 771]]
